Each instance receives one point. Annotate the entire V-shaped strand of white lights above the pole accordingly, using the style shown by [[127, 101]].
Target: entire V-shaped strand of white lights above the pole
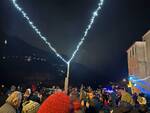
[[95, 14]]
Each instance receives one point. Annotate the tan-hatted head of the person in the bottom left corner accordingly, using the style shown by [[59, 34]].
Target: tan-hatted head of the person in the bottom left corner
[[15, 99]]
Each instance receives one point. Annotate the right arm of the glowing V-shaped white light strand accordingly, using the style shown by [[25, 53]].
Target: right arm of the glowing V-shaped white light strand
[[95, 14]]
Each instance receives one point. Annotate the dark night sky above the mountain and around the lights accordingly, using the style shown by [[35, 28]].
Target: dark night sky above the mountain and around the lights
[[119, 24]]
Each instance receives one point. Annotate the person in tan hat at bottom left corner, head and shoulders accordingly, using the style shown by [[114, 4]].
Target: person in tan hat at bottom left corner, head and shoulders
[[12, 103]]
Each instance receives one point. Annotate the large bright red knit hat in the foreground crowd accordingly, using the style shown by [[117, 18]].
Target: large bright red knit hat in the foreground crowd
[[56, 103]]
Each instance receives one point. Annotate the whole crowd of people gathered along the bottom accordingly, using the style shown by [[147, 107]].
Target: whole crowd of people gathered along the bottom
[[77, 100]]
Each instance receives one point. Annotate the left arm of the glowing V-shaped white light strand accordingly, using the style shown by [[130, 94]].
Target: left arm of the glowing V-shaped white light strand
[[37, 30]]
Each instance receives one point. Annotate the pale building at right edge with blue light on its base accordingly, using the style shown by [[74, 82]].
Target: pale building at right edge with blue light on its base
[[139, 64]]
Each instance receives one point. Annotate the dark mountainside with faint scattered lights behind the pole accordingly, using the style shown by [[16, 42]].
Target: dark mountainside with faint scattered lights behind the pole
[[23, 63]]
